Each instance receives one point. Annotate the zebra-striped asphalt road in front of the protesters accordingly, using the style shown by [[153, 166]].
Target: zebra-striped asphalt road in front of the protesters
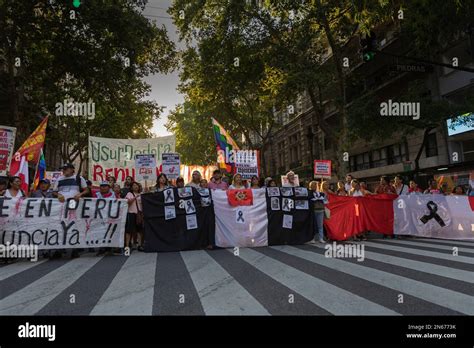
[[278, 280]]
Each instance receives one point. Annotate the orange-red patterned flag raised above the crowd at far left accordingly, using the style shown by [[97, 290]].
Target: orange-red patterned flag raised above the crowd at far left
[[31, 147]]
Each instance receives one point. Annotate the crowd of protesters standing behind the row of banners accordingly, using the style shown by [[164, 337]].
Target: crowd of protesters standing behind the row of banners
[[70, 185]]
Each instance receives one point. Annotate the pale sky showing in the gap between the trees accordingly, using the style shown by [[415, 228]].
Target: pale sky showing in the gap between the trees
[[163, 86]]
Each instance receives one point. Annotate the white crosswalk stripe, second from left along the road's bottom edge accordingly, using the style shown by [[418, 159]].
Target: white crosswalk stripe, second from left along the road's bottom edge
[[131, 291]]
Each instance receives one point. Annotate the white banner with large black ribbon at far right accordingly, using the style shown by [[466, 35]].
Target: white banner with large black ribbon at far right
[[434, 216]]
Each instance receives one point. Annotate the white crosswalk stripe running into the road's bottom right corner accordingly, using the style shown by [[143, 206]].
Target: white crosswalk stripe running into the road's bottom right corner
[[443, 297]]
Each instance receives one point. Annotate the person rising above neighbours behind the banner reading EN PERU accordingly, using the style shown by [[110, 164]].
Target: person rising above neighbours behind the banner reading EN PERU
[[69, 185]]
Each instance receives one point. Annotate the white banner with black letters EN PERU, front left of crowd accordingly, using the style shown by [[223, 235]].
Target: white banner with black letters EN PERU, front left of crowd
[[50, 224]]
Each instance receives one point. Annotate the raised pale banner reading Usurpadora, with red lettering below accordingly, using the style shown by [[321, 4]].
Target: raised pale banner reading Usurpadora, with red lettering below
[[116, 157]]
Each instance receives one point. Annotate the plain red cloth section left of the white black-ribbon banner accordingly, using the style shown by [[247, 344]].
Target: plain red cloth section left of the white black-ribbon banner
[[353, 215]]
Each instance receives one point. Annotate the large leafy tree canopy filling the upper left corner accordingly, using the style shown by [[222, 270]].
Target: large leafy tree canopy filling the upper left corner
[[98, 52]]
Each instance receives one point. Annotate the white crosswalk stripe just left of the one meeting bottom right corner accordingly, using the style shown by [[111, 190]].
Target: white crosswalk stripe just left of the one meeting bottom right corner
[[317, 291]]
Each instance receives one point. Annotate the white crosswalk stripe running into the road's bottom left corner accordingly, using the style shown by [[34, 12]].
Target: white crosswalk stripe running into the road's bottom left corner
[[36, 295]]
